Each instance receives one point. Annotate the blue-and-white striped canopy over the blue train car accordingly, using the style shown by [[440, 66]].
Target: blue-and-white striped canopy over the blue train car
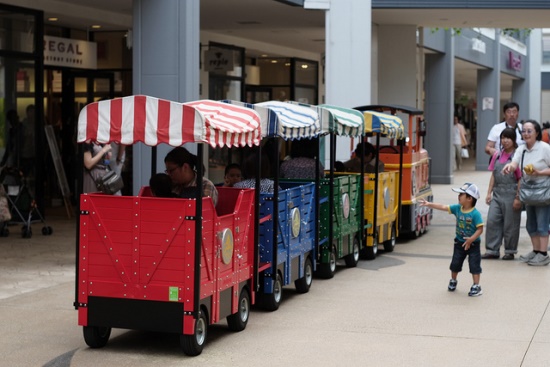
[[285, 120]]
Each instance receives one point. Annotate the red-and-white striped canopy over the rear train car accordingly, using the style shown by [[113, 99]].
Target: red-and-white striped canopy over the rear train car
[[154, 121]]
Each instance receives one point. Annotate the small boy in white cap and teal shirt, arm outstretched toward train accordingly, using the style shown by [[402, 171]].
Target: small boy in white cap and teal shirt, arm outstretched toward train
[[469, 227]]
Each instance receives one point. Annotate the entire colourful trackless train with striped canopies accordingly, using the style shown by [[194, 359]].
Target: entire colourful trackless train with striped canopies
[[178, 265]]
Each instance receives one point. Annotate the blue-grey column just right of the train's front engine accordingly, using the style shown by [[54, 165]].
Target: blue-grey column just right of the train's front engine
[[439, 111]]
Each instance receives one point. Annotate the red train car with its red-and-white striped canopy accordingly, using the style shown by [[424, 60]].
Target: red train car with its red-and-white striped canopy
[[166, 264]]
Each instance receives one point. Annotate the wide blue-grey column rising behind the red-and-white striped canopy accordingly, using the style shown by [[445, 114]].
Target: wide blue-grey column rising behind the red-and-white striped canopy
[[165, 64]]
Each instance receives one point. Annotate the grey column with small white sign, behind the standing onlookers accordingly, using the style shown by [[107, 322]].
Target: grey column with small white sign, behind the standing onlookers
[[488, 86]]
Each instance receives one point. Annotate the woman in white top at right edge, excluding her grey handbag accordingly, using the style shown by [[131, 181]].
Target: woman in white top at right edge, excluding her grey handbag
[[536, 153]]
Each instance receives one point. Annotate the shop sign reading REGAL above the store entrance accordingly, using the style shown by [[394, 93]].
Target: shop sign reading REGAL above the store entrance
[[70, 53]]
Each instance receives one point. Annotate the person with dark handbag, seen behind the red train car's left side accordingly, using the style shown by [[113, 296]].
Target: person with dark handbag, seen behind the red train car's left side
[[96, 161]]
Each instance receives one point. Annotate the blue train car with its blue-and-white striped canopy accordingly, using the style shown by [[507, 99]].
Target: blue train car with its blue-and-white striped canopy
[[288, 233]]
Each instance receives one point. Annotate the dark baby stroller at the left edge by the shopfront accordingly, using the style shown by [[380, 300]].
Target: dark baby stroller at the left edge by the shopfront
[[21, 204]]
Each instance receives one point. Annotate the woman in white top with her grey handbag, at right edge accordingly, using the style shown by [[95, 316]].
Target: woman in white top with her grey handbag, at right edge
[[533, 158]]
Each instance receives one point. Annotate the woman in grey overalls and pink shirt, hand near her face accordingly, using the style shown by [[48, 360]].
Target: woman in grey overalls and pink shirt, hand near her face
[[503, 219]]
